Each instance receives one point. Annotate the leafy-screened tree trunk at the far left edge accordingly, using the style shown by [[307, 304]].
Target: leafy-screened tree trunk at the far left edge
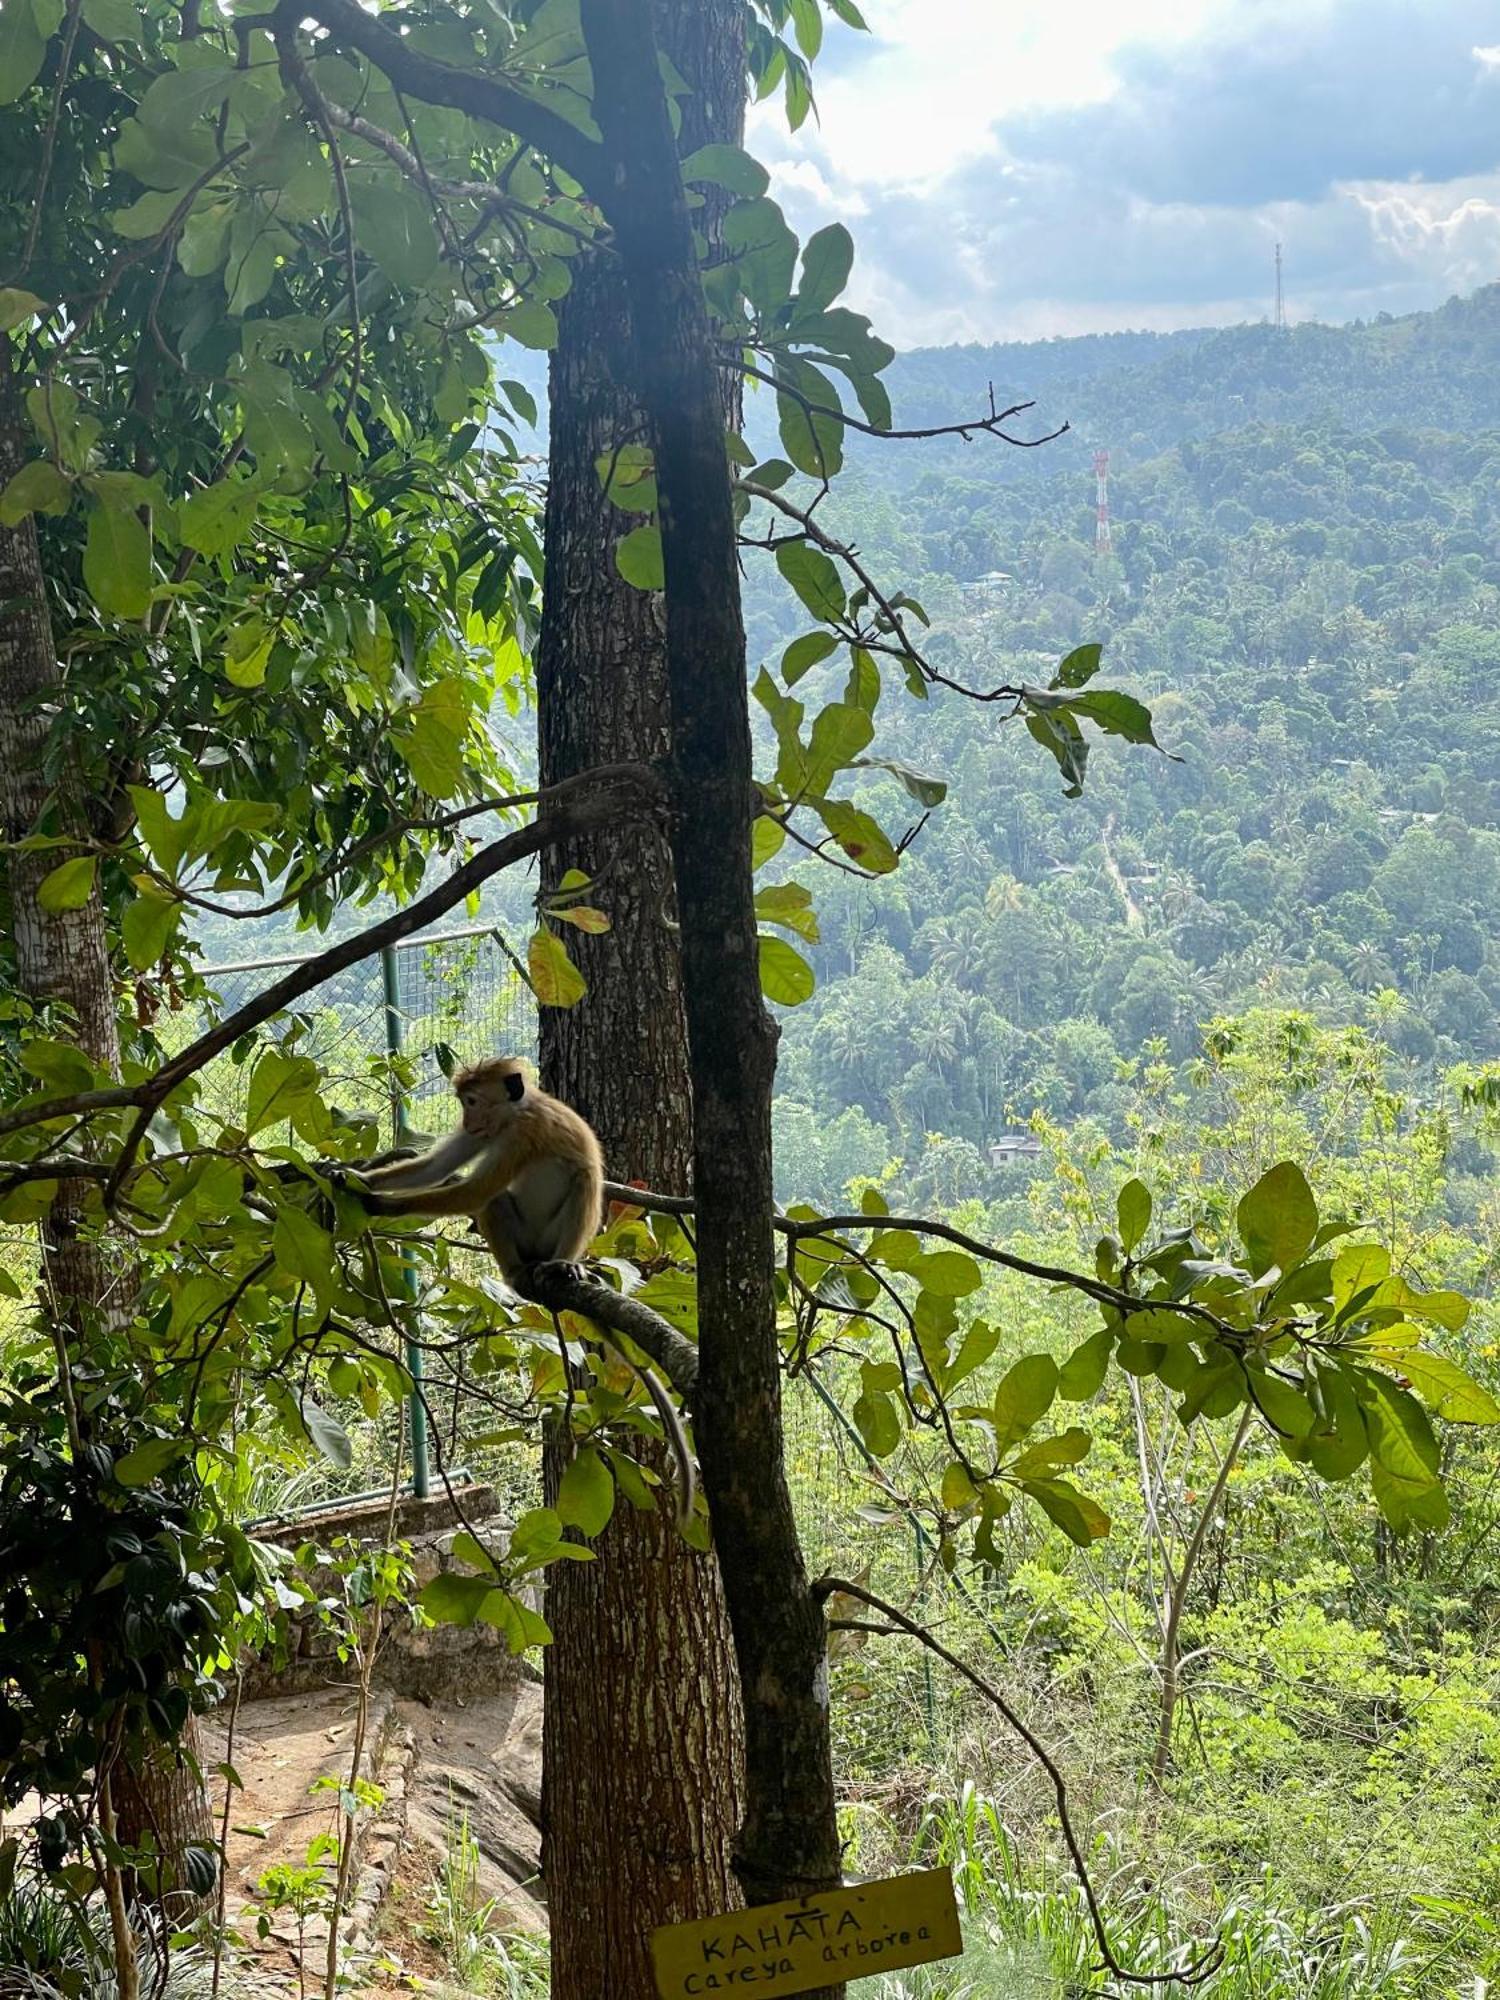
[[63, 963]]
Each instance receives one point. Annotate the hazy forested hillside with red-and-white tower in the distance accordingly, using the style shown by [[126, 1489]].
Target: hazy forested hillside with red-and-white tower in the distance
[[1307, 591]]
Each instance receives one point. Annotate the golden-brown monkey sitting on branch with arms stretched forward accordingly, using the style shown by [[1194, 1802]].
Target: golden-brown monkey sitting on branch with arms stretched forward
[[531, 1175]]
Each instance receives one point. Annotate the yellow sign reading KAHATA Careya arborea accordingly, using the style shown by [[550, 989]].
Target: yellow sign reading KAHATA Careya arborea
[[821, 1941]]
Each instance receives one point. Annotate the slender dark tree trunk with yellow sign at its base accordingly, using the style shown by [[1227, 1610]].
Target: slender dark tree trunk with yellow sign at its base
[[789, 1841]]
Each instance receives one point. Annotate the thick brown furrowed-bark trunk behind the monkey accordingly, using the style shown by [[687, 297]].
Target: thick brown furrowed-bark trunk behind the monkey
[[643, 1729]]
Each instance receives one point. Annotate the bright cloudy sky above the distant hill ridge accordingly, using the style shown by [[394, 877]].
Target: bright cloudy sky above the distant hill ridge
[[1017, 169]]
